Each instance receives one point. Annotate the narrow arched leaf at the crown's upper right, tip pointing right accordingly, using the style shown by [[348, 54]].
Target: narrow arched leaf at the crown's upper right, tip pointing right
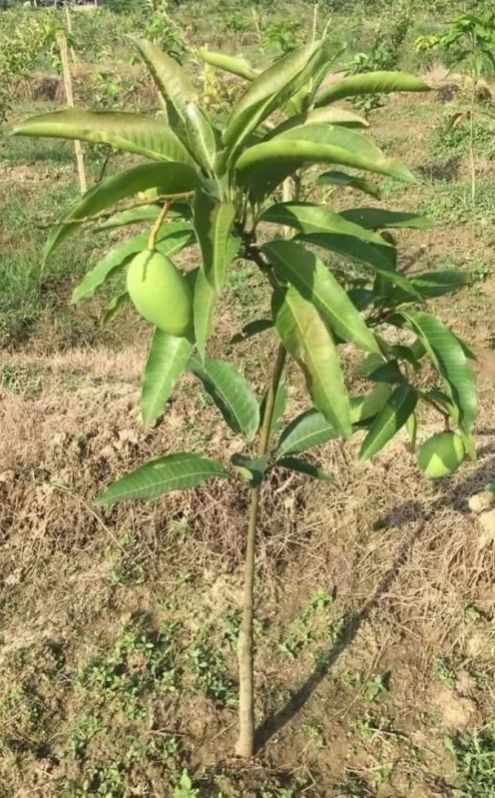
[[370, 83]]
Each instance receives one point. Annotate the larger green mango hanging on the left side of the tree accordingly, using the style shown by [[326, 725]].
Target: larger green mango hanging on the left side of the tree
[[160, 293]]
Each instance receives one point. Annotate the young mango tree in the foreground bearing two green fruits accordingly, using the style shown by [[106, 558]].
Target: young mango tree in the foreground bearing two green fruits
[[220, 190]]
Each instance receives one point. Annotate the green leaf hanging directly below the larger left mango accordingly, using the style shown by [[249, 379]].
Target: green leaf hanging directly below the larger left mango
[[167, 359]]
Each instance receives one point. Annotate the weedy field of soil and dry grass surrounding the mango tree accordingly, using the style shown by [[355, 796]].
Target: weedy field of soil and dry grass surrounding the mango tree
[[374, 622]]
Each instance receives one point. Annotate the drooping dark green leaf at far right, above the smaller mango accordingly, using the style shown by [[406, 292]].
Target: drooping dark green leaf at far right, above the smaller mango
[[450, 359]]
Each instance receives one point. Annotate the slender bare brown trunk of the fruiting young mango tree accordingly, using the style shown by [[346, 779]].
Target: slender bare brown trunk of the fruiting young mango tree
[[245, 651]]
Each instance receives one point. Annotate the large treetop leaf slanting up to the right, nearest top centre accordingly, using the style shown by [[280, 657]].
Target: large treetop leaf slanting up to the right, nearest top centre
[[269, 91]]
